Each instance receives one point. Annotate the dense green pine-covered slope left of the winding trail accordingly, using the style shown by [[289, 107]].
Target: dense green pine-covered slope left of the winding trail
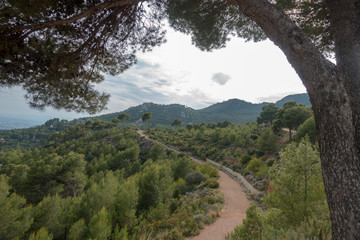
[[97, 181]]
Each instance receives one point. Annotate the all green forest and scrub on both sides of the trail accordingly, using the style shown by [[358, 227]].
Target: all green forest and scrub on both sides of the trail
[[102, 180]]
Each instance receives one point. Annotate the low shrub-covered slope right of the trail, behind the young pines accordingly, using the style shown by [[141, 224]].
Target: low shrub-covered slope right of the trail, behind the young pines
[[249, 149]]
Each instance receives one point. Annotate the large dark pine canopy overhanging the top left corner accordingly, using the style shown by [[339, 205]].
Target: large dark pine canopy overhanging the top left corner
[[57, 50]]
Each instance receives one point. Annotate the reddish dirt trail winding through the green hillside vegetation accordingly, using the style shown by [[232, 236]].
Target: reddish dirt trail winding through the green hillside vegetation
[[233, 211]]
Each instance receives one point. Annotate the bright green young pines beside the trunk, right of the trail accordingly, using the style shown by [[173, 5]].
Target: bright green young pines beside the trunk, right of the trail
[[296, 205]]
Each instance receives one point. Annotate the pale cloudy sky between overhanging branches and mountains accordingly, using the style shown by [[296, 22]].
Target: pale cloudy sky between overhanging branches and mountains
[[178, 72]]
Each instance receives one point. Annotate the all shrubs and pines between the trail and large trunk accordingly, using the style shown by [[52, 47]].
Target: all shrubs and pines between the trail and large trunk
[[295, 205]]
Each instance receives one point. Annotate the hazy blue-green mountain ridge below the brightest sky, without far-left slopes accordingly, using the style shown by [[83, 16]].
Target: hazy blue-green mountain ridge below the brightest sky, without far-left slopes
[[234, 110]]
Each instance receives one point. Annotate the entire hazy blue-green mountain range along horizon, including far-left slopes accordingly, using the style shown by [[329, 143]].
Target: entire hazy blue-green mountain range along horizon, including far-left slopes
[[234, 110]]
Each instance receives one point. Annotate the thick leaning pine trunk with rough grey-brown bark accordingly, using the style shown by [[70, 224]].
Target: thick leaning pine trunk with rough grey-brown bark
[[334, 92]]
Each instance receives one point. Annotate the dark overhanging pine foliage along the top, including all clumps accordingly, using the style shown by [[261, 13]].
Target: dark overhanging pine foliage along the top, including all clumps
[[58, 50]]
